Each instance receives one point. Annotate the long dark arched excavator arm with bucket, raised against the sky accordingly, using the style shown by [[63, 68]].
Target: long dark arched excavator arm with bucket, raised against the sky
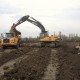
[[29, 19]]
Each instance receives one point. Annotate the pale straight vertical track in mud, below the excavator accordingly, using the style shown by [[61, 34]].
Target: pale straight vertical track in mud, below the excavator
[[51, 69]]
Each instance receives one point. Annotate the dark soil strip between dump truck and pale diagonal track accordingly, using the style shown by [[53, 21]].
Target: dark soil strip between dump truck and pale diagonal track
[[7, 56]]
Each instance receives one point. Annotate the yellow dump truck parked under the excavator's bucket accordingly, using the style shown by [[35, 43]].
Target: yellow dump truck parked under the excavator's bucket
[[8, 39]]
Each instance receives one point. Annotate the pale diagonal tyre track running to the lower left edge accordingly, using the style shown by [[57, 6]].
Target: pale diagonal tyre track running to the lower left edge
[[10, 64]]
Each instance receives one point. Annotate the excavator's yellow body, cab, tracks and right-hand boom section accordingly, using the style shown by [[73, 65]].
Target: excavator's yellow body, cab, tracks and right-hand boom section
[[45, 39]]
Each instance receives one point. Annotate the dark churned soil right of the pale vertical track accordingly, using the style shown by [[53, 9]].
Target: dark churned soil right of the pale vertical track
[[69, 63]]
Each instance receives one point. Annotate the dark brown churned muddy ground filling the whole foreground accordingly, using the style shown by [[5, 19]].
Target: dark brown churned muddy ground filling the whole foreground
[[62, 63]]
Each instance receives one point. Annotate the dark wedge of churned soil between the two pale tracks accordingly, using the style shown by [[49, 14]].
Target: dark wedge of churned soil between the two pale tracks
[[31, 68]]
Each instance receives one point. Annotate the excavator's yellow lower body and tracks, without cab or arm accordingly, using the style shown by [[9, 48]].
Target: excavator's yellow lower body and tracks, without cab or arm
[[51, 41]]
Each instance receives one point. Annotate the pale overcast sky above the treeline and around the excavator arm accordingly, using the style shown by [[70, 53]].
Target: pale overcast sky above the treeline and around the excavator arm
[[55, 15]]
